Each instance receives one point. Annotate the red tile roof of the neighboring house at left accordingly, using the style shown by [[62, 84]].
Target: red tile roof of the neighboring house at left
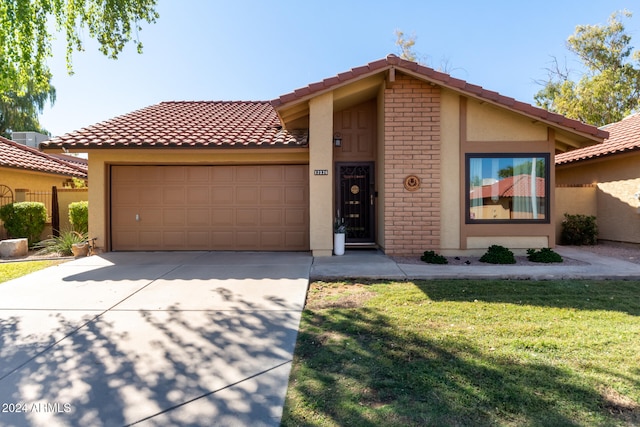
[[20, 156]]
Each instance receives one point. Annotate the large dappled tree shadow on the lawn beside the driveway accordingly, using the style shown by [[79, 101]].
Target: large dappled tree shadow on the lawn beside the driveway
[[353, 368]]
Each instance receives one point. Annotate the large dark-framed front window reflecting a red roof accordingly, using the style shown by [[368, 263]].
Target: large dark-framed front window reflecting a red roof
[[507, 188]]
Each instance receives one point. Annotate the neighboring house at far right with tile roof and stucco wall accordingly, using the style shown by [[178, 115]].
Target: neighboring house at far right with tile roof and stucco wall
[[613, 168]]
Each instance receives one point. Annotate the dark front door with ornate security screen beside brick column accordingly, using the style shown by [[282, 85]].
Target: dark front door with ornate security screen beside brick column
[[355, 198]]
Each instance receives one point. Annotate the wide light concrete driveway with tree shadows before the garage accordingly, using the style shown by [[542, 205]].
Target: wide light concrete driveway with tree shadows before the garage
[[193, 338]]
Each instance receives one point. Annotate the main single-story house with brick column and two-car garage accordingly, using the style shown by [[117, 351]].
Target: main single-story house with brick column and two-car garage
[[393, 147]]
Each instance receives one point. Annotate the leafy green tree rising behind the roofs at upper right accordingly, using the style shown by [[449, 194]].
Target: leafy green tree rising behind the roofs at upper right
[[609, 88]]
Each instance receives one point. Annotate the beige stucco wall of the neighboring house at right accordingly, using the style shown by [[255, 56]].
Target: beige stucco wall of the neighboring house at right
[[617, 179]]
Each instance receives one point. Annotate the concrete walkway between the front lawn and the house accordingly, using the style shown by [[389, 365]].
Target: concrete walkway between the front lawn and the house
[[375, 265]]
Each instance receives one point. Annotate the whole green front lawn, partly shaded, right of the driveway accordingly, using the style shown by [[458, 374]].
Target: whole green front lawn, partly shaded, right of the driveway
[[462, 353]]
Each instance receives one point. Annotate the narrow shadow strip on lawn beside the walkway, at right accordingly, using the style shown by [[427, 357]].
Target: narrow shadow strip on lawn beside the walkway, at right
[[578, 294]]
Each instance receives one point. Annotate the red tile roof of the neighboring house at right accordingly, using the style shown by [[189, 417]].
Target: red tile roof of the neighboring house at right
[[624, 136]]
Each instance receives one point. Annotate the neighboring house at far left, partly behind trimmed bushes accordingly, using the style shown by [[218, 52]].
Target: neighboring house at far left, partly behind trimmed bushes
[[27, 174]]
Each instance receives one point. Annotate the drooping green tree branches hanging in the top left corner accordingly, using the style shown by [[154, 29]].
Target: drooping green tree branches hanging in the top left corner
[[25, 42]]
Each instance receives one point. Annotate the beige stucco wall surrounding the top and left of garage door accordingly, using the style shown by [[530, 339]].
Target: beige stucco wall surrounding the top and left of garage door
[[99, 161]]
